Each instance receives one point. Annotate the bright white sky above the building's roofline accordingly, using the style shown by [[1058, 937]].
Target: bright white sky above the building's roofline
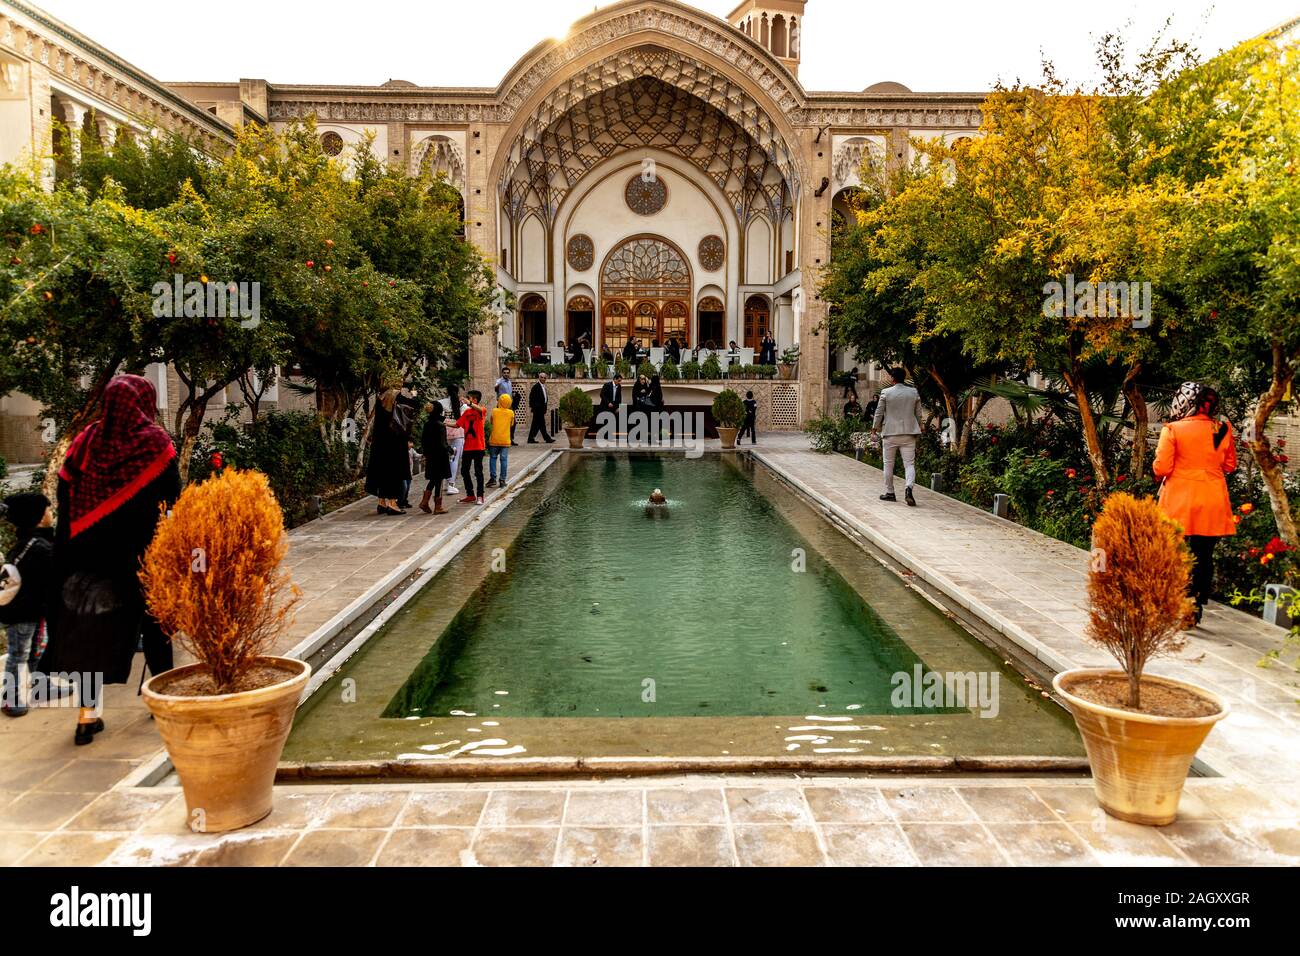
[[929, 46]]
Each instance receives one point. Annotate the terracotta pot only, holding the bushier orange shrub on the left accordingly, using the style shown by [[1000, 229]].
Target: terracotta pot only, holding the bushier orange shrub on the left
[[226, 749]]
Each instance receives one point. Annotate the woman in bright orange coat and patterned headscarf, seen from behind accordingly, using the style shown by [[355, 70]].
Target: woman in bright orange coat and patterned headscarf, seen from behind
[[1195, 453]]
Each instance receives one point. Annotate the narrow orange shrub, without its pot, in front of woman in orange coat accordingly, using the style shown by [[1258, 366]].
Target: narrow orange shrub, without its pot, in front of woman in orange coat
[[1138, 585]]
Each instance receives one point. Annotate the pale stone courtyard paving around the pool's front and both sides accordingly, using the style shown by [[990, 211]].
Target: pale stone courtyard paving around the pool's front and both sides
[[68, 806]]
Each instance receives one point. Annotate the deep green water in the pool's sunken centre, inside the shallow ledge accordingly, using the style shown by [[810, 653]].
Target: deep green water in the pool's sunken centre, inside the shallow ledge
[[712, 605]]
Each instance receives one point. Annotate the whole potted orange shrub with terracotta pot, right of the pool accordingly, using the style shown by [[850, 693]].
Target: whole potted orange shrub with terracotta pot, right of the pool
[[1141, 732]]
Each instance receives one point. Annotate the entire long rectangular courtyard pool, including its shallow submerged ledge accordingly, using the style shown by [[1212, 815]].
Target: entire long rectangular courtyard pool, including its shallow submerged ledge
[[738, 621]]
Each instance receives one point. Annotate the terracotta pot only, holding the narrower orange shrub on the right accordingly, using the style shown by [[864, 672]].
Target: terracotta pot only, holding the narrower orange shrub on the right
[[1139, 762]]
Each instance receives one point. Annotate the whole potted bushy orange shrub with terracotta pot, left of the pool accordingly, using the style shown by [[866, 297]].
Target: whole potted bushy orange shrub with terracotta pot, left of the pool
[[213, 579]]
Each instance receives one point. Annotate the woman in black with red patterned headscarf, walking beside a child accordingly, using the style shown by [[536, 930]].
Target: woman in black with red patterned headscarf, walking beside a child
[[119, 474]]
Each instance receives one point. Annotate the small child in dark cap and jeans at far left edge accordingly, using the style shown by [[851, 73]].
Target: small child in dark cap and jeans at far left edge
[[23, 594]]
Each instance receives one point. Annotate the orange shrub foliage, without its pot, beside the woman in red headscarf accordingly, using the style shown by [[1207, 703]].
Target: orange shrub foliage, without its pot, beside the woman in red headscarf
[[213, 574]]
